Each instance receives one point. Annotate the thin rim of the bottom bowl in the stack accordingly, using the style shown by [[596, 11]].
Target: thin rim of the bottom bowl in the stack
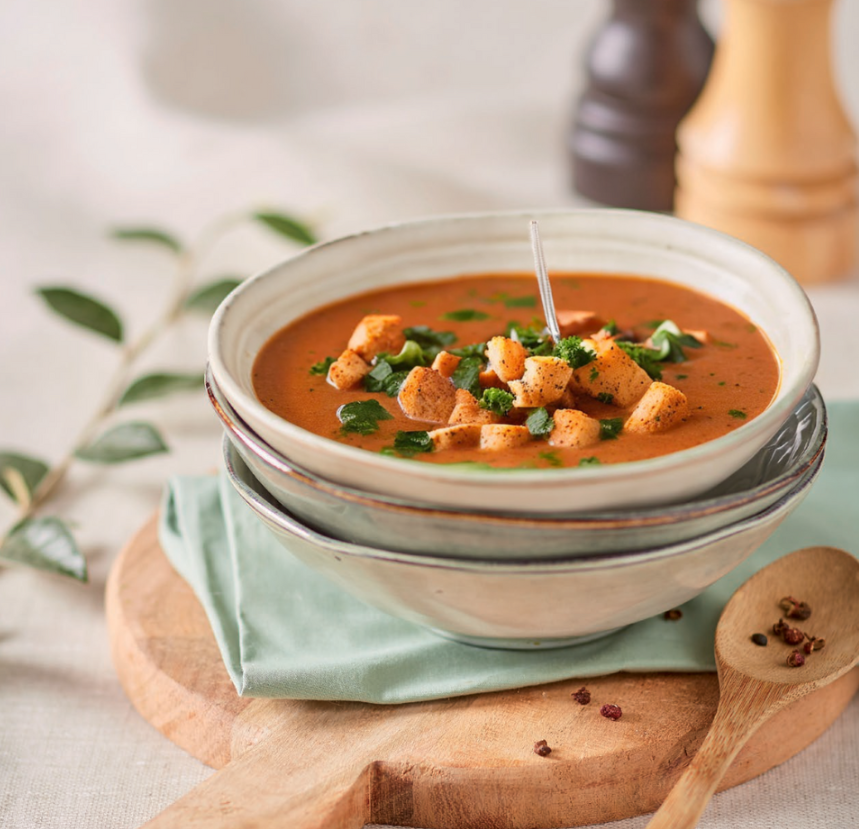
[[279, 518]]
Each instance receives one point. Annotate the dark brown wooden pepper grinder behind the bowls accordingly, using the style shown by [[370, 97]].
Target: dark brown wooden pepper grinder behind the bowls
[[645, 68]]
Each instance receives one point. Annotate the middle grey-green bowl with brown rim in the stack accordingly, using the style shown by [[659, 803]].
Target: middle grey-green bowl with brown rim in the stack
[[793, 454]]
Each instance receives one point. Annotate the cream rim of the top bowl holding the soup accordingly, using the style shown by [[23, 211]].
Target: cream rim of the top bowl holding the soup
[[785, 398]]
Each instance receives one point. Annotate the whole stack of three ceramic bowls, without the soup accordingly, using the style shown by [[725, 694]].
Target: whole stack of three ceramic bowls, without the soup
[[500, 558]]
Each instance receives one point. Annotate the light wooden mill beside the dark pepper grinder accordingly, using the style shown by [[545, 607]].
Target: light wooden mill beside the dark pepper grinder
[[767, 153]]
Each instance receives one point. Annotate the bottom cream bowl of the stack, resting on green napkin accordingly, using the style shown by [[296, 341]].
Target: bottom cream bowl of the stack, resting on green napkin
[[510, 604]]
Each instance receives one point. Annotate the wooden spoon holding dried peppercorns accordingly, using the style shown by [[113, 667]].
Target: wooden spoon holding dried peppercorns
[[754, 681]]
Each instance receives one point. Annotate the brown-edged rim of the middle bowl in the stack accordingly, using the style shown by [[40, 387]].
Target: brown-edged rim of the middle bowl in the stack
[[237, 430]]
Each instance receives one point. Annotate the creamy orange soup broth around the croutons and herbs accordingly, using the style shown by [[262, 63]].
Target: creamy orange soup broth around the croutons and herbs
[[736, 372]]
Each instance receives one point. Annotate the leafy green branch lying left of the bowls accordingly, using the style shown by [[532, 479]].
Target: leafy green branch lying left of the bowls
[[46, 542]]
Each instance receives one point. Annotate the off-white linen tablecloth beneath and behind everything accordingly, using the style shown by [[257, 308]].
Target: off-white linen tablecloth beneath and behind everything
[[173, 114]]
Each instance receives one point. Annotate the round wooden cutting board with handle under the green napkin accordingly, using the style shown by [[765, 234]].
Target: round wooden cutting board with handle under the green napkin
[[458, 763]]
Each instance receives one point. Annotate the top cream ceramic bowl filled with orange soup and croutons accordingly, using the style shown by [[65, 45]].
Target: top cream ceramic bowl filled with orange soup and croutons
[[738, 350]]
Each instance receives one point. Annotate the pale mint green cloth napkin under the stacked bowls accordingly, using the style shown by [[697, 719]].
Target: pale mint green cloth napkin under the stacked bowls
[[285, 631]]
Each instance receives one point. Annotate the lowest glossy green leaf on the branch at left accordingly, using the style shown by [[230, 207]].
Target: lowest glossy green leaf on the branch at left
[[46, 544]]
